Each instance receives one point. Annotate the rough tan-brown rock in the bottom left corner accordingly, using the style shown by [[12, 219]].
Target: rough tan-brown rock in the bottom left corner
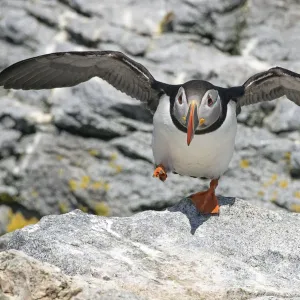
[[22, 277]]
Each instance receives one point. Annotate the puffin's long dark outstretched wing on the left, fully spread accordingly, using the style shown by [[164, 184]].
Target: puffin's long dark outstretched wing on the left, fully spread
[[65, 69]]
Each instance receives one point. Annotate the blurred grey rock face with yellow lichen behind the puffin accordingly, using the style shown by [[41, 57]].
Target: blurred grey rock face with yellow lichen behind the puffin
[[88, 147]]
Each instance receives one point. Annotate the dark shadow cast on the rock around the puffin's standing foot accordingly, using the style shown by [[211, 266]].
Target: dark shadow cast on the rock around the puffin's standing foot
[[195, 218]]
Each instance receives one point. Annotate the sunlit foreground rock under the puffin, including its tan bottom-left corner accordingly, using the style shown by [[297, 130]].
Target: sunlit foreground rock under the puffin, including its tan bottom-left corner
[[244, 253]]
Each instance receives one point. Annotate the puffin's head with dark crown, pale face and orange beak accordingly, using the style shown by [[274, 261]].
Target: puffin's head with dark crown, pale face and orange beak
[[197, 106]]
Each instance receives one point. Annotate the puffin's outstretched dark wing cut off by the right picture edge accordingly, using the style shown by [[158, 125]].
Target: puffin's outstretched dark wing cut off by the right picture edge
[[270, 85]]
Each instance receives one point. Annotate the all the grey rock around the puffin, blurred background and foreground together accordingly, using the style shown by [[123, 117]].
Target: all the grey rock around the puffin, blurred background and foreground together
[[88, 148]]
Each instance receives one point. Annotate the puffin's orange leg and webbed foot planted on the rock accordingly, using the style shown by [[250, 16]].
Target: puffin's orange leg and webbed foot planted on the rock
[[206, 202]]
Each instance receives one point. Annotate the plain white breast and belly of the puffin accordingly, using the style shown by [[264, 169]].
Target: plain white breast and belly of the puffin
[[208, 154]]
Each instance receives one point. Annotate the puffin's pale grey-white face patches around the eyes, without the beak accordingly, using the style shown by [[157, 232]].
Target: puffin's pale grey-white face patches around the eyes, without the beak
[[208, 108]]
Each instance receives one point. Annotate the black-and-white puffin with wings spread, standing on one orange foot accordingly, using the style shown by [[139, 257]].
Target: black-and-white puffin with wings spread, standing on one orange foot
[[195, 123]]
